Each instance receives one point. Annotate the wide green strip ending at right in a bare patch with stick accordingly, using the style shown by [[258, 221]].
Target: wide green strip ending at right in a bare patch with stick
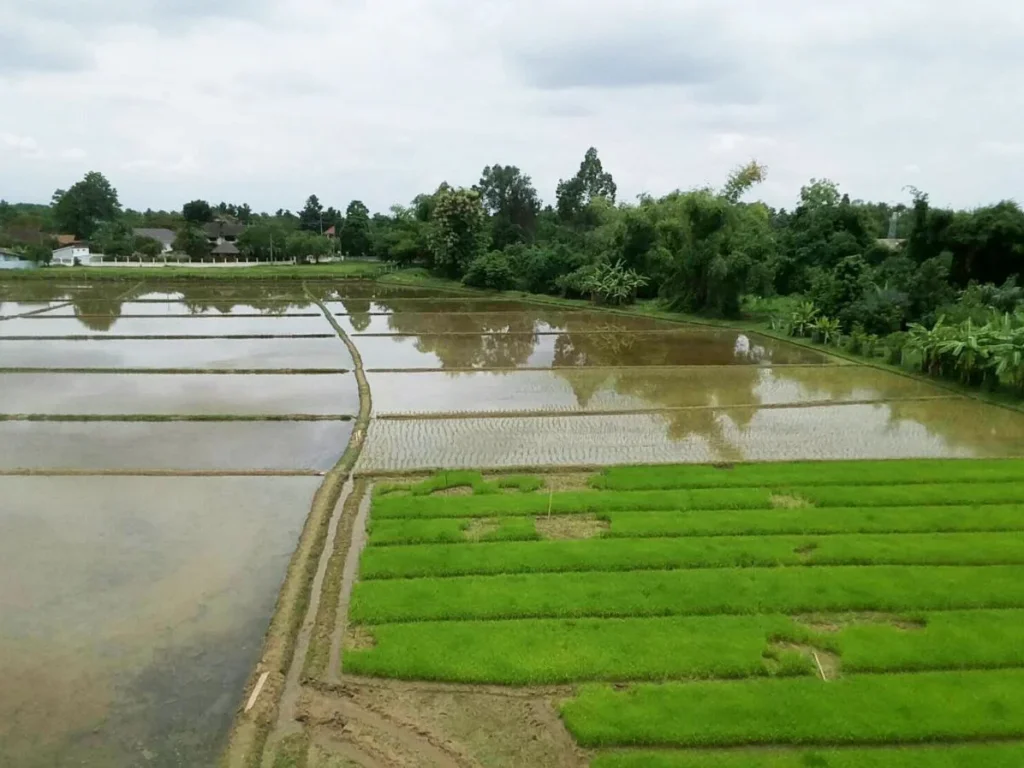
[[551, 652]]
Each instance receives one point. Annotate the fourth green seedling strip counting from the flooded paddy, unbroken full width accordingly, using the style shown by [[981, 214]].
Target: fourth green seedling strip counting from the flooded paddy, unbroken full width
[[713, 552]]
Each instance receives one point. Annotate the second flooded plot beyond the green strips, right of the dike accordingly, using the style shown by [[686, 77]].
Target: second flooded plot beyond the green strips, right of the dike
[[587, 391]]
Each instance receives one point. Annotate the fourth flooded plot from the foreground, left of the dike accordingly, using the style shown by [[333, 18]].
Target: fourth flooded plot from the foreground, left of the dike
[[195, 354]]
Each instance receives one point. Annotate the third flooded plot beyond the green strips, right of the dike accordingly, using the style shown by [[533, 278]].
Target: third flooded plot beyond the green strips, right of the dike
[[685, 348]]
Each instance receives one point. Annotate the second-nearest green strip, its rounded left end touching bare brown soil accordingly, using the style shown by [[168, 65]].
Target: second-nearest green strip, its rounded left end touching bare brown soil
[[870, 709]]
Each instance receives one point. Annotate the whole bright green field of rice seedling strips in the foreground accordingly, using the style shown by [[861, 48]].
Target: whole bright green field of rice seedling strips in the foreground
[[845, 615]]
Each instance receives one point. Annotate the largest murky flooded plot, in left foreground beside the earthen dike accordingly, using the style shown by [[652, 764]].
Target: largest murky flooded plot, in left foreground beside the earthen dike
[[133, 611]]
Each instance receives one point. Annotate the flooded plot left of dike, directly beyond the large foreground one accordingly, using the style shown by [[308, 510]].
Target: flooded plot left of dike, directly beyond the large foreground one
[[234, 446]]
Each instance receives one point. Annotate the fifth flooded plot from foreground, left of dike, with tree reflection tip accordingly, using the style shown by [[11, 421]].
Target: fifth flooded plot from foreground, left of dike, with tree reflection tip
[[198, 326]]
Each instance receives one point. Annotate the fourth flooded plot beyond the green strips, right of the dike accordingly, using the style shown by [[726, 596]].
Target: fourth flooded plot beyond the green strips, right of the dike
[[536, 321]]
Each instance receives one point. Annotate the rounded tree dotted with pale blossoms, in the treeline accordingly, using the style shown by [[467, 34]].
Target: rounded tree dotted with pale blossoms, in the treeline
[[459, 231]]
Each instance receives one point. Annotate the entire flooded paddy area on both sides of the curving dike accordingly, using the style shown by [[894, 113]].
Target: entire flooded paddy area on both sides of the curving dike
[[134, 608]]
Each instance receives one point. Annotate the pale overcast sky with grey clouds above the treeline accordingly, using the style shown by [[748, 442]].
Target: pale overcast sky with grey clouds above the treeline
[[268, 102]]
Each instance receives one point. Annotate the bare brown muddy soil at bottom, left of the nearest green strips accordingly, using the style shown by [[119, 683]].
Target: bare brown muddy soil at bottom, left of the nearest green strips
[[388, 724]]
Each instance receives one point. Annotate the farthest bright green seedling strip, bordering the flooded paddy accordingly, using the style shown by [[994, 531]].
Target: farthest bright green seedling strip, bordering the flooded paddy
[[810, 474]]
